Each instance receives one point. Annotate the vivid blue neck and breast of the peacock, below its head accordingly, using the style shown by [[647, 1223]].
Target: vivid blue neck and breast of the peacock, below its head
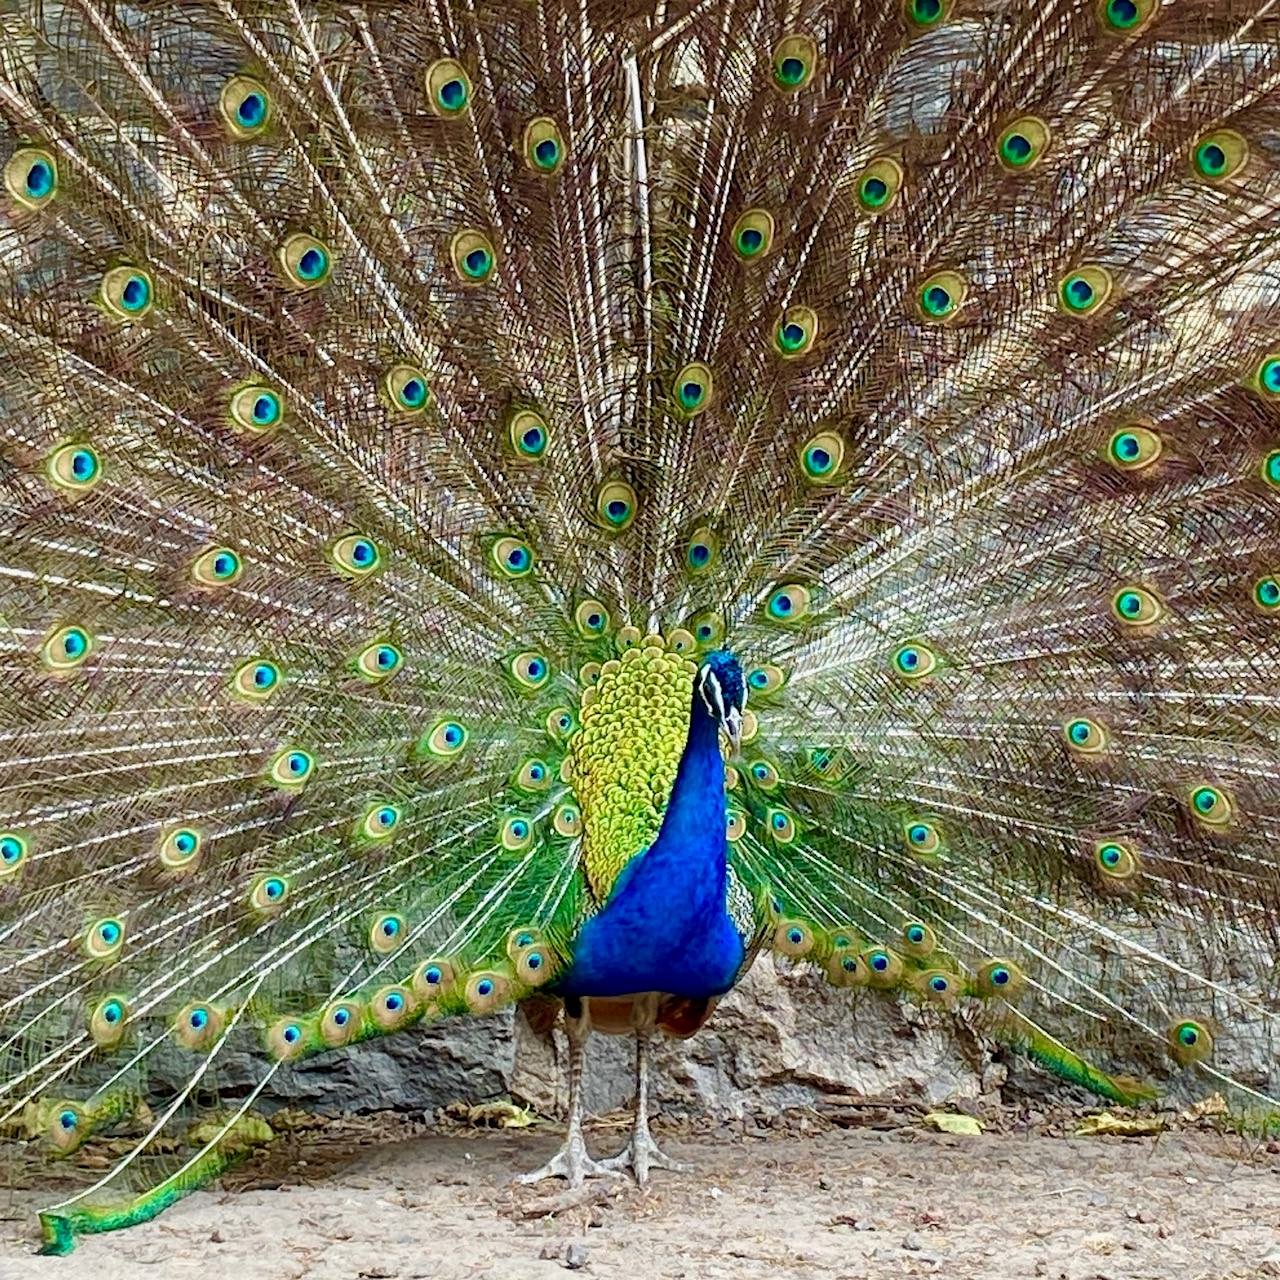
[[666, 927]]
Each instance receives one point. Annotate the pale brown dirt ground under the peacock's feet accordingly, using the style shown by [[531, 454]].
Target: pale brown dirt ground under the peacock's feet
[[872, 1196]]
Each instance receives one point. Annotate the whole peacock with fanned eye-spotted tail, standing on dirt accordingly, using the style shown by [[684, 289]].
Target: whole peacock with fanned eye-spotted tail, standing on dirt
[[547, 502]]
